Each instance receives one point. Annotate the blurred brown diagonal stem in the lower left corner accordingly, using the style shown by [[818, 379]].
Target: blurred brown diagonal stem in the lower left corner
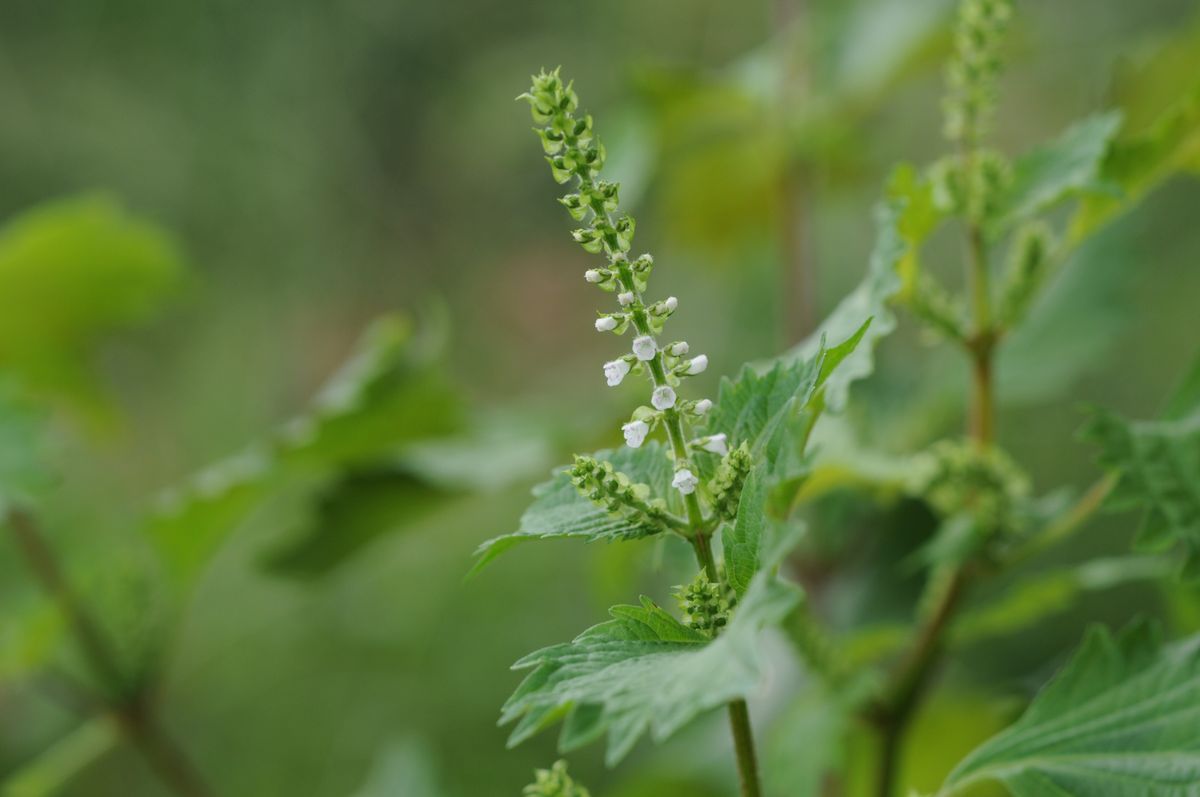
[[135, 715]]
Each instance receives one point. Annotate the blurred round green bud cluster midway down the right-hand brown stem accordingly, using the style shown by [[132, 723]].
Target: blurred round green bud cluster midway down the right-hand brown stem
[[986, 482]]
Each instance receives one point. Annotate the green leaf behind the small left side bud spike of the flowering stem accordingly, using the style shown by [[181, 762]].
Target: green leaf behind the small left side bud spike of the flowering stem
[[560, 512]]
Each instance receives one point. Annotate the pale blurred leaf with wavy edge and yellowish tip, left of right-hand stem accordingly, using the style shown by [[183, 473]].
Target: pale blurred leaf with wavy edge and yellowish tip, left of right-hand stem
[[903, 221]]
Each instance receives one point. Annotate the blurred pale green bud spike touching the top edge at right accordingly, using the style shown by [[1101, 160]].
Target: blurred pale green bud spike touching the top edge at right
[[974, 70]]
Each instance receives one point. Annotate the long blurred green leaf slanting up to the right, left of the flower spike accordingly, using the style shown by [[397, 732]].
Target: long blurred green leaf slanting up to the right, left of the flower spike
[[389, 394]]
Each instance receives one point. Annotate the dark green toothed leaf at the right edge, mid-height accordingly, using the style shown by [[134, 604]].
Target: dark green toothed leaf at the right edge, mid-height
[[1159, 468]]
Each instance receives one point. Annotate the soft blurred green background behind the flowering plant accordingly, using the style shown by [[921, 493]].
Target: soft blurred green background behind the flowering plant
[[209, 205]]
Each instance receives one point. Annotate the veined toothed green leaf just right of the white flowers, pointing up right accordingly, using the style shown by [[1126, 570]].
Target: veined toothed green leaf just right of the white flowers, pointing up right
[[757, 409]]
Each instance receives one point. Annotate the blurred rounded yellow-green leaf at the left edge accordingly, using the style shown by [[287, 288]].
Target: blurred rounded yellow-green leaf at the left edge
[[70, 272]]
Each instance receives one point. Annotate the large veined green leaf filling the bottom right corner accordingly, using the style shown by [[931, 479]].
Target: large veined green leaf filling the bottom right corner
[[1120, 720]]
